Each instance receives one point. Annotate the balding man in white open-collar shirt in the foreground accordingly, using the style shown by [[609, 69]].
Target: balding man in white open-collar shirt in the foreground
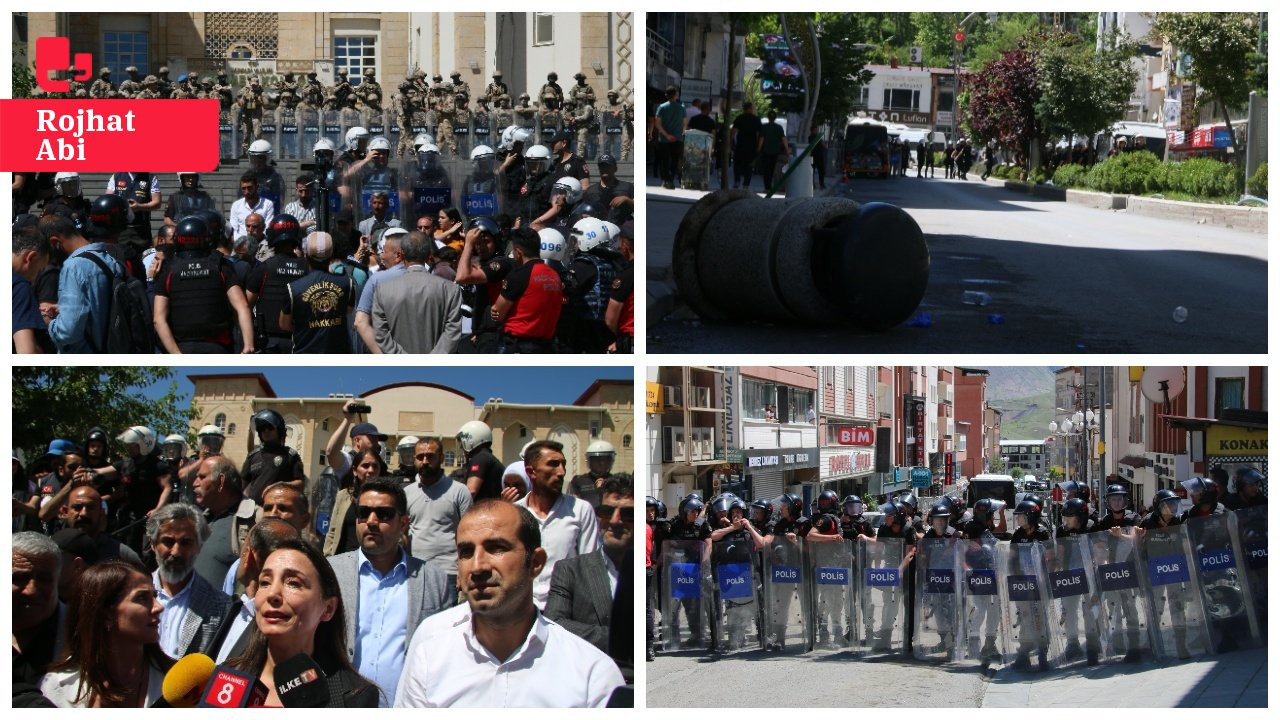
[[499, 650]]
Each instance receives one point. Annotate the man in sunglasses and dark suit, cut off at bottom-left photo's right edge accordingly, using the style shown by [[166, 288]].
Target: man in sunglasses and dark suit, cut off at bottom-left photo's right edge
[[583, 587]]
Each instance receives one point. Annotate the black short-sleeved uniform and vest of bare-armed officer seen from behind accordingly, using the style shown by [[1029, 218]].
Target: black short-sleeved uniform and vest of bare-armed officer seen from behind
[[200, 315]]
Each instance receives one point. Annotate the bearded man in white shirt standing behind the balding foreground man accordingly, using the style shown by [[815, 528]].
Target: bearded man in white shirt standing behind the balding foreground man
[[568, 525]]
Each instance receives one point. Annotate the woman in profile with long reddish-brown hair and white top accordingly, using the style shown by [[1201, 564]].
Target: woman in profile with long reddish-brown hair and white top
[[113, 655]]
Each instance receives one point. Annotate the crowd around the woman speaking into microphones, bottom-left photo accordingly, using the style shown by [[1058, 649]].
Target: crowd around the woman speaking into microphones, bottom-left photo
[[149, 577]]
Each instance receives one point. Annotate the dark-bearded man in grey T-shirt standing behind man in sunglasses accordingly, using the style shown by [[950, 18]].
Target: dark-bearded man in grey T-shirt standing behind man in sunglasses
[[436, 507]]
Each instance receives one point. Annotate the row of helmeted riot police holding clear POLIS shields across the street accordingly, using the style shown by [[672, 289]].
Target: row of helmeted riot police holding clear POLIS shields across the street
[[945, 589]]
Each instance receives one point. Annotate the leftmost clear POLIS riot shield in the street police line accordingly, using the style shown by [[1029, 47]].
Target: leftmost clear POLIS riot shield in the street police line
[[684, 600]]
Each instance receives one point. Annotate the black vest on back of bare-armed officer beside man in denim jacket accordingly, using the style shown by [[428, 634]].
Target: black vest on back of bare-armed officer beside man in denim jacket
[[198, 299]]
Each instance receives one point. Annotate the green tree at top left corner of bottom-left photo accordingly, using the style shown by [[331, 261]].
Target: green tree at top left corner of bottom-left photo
[[65, 403]]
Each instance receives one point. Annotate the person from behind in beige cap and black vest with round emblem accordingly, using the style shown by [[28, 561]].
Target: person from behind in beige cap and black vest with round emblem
[[317, 306]]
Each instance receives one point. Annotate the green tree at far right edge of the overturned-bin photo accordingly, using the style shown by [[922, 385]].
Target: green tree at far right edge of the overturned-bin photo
[[1223, 49]]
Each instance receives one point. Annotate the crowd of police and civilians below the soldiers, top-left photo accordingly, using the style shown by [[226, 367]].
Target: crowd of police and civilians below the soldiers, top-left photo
[[365, 258]]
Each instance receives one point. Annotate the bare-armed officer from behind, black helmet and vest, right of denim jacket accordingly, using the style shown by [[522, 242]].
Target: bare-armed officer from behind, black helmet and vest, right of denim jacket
[[199, 298]]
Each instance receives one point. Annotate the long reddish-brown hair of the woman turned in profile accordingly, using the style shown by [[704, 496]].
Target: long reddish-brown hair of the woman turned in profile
[[90, 646]]
